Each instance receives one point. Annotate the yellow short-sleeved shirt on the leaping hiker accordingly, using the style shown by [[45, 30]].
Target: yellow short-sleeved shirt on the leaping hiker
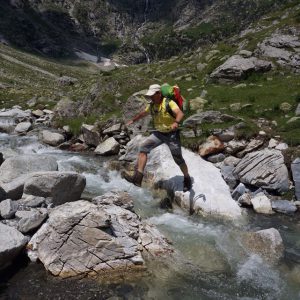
[[161, 118]]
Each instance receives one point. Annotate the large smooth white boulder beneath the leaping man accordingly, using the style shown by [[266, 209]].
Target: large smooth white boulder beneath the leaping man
[[203, 198]]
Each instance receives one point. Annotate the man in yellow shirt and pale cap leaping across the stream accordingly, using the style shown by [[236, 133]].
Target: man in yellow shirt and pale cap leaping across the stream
[[166, 131]]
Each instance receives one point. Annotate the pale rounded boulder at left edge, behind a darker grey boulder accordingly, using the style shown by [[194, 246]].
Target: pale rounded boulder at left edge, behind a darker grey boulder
[[15, 170]]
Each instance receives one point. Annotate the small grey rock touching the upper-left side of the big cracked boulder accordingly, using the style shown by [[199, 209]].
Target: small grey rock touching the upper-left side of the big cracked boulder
[[33, 221]]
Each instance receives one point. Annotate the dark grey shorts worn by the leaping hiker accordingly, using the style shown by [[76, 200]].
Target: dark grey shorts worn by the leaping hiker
[[172, 139]]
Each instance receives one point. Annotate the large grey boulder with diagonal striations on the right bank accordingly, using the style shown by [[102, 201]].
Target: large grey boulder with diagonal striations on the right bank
[[264, 169]]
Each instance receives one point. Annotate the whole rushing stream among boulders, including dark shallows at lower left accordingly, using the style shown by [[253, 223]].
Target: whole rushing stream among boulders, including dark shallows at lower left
[[218, 266]]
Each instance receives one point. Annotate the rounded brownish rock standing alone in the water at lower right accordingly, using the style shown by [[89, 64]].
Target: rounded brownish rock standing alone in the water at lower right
[[266, 243]]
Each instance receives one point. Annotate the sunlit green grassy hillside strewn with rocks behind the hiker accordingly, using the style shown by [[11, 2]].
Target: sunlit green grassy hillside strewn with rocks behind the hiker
[[24, 76]]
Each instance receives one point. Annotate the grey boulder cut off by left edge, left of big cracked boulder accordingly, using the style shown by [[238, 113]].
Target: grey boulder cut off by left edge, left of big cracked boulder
[[12, 242]]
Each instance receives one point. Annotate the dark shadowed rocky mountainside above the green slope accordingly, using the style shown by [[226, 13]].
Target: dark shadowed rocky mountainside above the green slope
[[131, 31]]
